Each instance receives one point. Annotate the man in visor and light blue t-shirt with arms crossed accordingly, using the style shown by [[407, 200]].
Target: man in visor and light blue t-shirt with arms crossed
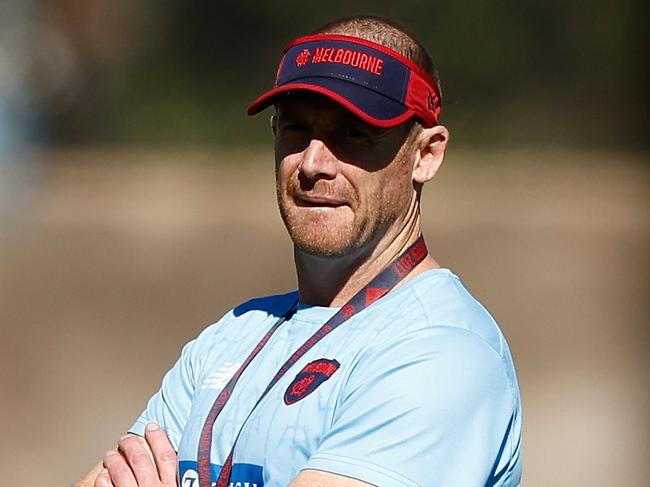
[[381, 369]]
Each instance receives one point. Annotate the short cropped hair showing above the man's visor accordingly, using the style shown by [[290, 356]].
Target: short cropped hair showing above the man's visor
[[385, 32]]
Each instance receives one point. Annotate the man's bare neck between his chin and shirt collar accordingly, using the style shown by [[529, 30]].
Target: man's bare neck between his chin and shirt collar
[[333, 281]]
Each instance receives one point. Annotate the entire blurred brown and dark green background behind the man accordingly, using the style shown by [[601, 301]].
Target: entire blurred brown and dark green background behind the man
[[137, 205]]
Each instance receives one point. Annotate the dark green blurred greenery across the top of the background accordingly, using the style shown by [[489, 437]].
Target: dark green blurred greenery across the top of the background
[[553, 73]]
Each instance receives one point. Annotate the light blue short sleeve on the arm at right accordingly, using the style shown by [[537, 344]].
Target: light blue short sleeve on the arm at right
[[434, 408]]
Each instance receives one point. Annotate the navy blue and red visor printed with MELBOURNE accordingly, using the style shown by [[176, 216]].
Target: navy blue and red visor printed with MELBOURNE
[[377, 84]]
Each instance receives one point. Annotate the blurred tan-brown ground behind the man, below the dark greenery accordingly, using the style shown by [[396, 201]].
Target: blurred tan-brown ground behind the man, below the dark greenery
[[114, 259]]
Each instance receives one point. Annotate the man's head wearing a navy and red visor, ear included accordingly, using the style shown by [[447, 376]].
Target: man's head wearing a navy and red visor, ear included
[[356, 135]]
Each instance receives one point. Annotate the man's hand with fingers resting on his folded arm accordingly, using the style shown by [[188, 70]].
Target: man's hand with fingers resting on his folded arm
[[138, 462]]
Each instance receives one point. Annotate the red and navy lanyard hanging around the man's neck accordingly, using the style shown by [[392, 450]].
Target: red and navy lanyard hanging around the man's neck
[[375, 289]]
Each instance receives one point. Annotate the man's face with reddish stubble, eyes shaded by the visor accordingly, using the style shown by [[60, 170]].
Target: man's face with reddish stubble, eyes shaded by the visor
[[341, 183]]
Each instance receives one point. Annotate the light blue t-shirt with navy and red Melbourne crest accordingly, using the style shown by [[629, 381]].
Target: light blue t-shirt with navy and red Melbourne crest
[[418, 389]]
